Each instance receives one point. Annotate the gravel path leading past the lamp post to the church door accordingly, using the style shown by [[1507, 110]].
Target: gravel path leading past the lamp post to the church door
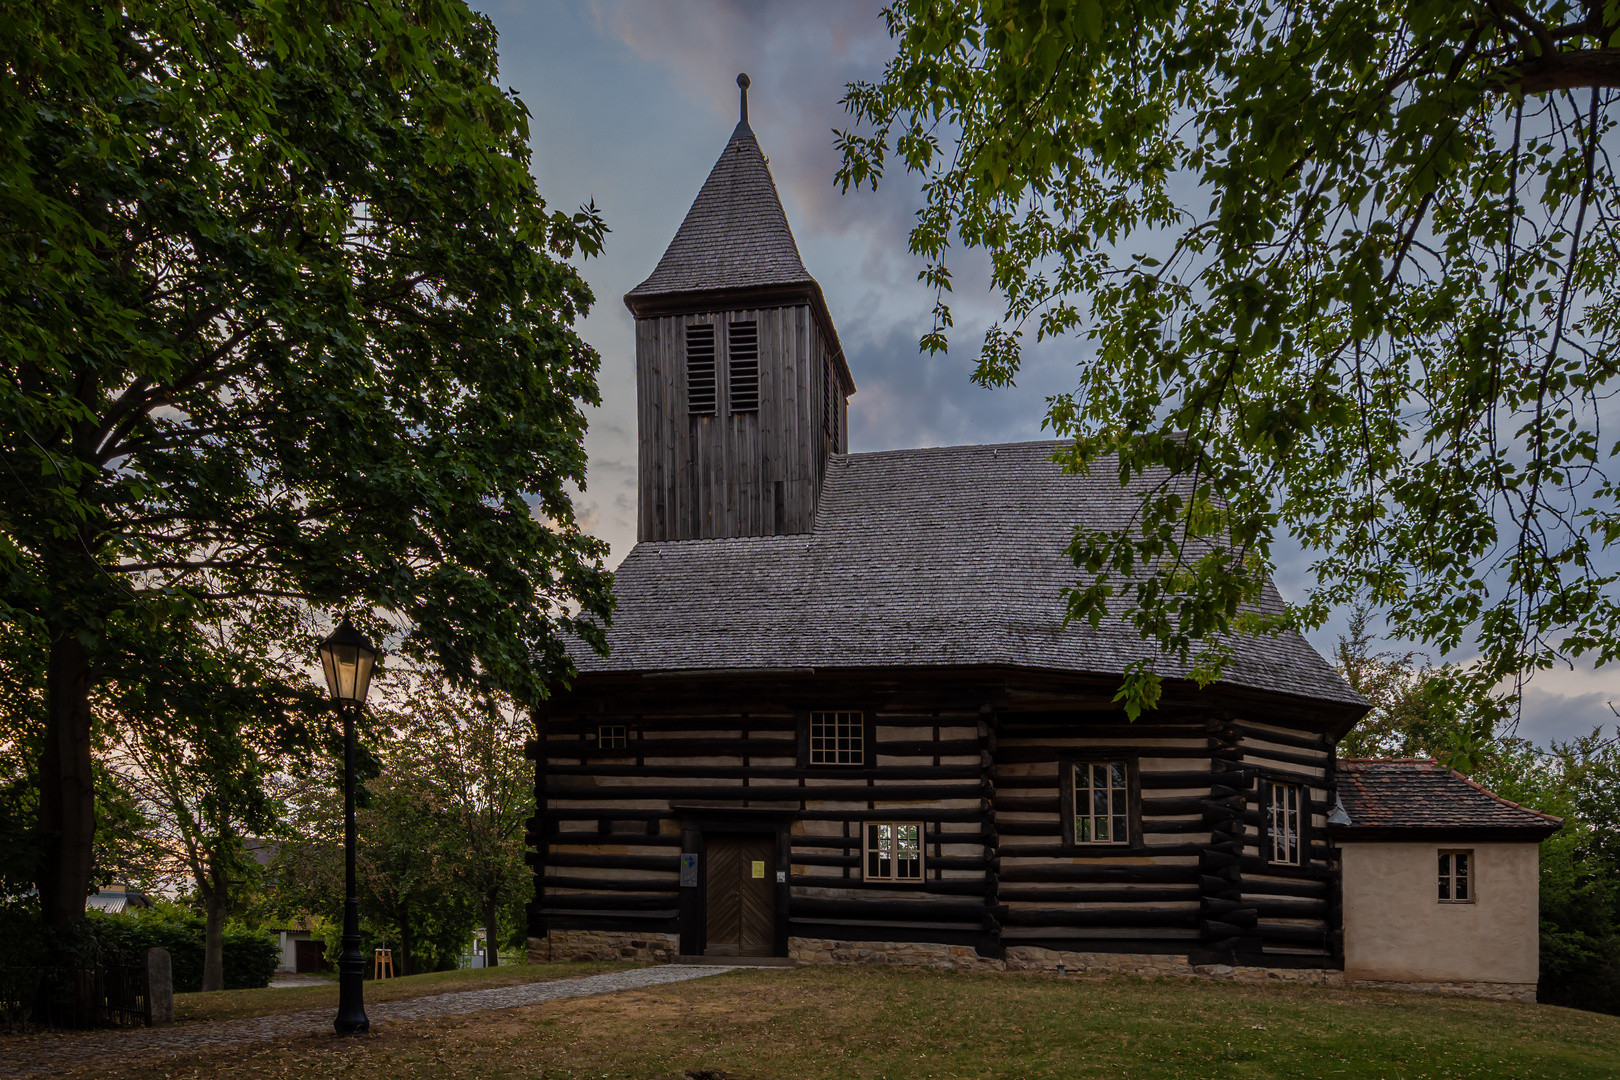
[[106, 1050]]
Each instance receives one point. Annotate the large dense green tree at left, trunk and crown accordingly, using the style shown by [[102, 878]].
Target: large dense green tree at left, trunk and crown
[[281, 317]]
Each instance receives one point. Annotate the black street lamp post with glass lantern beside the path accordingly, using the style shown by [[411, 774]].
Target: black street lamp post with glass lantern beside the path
[[347, 660]]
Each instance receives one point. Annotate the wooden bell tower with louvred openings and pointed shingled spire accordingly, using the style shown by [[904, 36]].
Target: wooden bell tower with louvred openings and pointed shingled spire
[[743, 389]]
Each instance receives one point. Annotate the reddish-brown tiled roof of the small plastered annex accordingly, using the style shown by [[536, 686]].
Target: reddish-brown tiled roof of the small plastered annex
[[1418, 799]]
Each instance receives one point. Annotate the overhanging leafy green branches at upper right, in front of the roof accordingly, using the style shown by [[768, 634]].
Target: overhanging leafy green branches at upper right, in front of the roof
[[1347, 271]]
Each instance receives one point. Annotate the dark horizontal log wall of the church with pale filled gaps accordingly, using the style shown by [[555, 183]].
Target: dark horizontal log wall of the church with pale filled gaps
[[987, 784]]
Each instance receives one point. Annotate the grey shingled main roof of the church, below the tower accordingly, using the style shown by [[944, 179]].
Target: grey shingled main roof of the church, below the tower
[[919, 558]]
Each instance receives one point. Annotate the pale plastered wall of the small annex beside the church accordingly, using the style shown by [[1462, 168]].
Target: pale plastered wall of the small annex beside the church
[[1397, 930]]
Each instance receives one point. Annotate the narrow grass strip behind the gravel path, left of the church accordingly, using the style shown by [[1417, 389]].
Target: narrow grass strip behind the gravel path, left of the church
[[236, 1005]]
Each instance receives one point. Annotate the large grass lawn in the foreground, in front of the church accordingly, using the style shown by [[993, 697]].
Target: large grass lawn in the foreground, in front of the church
[[840, 1024]]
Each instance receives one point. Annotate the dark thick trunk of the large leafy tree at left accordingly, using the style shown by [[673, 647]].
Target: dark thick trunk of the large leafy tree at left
[[67, 794]]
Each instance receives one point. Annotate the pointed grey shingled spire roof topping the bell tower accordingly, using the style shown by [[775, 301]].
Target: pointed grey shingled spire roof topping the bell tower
[[736, 234]]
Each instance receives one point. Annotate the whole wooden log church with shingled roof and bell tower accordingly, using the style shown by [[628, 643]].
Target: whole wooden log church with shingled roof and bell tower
[[842, 718]]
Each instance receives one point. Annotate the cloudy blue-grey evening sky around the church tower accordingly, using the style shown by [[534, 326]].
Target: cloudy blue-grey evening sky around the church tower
[[634, 100]]
